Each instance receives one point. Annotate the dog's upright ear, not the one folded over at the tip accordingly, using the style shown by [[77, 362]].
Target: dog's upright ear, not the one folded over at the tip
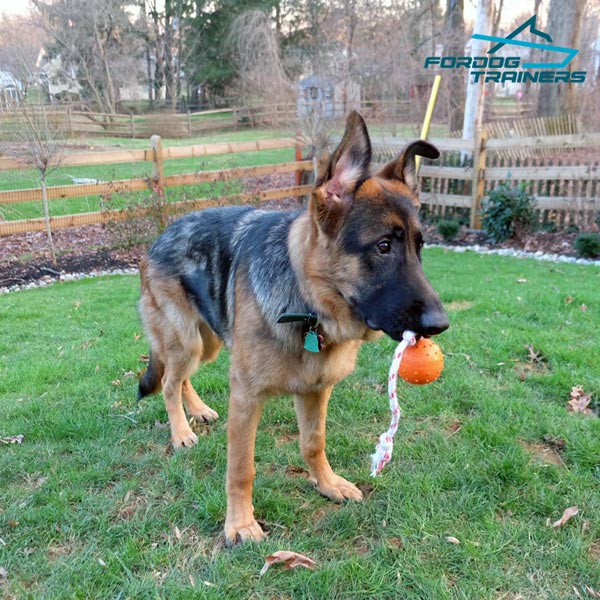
[[348, 165]]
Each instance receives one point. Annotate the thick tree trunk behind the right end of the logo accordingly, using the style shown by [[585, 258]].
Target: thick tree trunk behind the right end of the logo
[[564, 24]]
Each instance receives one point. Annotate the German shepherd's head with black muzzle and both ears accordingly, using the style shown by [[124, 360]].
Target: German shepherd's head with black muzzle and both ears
[[371, 227]]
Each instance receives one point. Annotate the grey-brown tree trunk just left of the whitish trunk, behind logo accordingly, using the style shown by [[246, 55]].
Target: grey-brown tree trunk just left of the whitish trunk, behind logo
[[455, 46]]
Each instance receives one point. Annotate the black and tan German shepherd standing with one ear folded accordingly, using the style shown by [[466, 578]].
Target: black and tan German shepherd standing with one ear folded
[[292, 295]]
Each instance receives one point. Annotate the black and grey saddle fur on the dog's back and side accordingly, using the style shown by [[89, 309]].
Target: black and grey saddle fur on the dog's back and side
[[205, 251]]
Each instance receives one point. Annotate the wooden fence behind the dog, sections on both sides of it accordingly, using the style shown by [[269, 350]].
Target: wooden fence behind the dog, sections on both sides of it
[[561, 172]]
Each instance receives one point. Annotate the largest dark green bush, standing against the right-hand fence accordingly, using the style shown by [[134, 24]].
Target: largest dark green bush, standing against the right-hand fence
[[509, 213]]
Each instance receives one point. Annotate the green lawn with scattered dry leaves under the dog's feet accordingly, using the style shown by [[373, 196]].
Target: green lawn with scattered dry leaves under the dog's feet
[[94, 505]]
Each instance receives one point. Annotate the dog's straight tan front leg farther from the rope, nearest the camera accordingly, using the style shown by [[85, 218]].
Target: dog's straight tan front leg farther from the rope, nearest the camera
[[242, 422]]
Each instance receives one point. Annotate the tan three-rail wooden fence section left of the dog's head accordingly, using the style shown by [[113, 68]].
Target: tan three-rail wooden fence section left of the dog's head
[[158, 182]]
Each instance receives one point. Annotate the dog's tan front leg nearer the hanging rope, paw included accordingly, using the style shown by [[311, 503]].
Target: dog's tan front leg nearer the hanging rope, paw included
[[312, 412]]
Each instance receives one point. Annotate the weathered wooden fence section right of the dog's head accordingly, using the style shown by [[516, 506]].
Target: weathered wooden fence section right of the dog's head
[[561, 172]]
